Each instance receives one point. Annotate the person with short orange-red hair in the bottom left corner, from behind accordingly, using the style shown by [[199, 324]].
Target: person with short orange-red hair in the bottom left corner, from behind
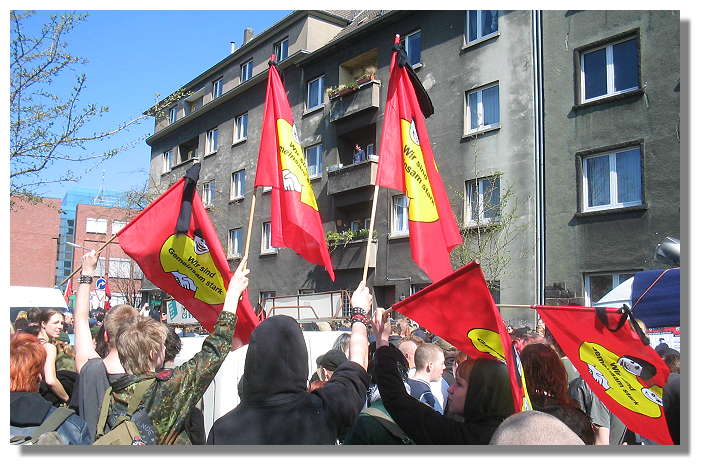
[[27, 407]]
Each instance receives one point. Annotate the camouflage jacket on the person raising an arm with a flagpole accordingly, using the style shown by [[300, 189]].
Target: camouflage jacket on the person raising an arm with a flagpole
[[168, 401]]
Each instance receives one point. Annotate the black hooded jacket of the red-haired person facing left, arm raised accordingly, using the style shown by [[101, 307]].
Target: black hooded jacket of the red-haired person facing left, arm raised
[[488, 402]]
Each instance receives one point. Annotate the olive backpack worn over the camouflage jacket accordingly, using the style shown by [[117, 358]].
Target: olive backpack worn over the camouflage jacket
[[125, 432]]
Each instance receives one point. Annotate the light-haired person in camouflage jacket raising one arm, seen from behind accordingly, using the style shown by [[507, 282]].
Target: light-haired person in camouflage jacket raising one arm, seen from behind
[[166, 404]]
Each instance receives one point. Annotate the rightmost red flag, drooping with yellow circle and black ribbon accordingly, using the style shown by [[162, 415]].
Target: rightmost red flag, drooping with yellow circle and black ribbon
[[626, 374]]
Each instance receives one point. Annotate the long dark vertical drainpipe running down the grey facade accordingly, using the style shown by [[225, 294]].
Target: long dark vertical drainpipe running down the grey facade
[[539, 157]]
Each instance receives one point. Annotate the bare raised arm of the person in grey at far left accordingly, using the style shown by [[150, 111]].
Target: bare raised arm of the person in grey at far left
[[81, 328]]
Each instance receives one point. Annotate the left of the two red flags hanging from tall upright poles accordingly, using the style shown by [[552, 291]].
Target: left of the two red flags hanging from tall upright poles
[[296, 222]]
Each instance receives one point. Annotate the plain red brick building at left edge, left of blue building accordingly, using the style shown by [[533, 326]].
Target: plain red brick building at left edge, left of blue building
[[34, 232]]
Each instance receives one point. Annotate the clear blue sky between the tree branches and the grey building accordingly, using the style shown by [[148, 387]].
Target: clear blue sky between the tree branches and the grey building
[[132, 56]]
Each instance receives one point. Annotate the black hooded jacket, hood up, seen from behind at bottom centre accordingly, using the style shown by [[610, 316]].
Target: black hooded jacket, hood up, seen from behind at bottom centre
[[275, 407]]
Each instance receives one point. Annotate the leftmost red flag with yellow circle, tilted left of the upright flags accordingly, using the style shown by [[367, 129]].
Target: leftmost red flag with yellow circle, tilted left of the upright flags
[[191, 267]]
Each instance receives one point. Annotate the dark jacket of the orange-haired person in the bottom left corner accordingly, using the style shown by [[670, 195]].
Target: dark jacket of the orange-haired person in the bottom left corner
[[28, 410]]
